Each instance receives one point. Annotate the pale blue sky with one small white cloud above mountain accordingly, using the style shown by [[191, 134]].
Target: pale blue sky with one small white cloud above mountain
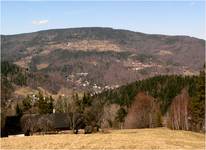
[[172, 18]]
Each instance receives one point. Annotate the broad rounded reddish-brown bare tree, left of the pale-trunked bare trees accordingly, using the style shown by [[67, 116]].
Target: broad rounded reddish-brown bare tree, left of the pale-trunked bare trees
[[144, 112]]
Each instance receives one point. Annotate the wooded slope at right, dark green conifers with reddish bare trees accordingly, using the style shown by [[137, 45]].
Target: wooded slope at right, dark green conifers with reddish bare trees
[[159, 94]]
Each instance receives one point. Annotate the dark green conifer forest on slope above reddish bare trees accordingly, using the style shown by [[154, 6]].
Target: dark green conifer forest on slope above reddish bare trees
[[163, 88]]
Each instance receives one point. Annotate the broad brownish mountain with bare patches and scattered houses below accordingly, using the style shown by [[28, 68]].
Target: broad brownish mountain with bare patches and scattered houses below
[[94, 58]]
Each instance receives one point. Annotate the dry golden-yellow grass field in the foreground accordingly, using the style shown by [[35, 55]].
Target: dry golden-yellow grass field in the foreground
[[158, 138]]
